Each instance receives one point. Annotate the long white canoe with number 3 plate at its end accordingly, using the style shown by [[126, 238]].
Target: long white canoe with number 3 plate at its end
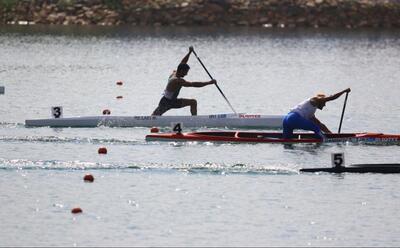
[[217, 120]]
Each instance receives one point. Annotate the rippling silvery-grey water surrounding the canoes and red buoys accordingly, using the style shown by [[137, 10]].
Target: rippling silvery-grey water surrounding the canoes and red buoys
[[205, 194]]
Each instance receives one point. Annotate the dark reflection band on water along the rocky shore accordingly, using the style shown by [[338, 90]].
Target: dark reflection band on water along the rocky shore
[[373, 34]]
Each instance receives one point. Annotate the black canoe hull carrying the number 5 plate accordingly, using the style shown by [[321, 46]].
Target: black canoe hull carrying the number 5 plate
[[358, 168]]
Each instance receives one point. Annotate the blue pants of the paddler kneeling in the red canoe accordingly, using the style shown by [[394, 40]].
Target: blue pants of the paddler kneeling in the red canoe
[[294, 120]]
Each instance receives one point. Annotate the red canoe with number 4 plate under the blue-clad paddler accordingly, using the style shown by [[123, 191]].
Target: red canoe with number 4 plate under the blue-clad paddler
[[274, 137]]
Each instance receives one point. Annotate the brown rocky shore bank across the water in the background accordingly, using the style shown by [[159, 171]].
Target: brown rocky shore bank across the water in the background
[[266, 13]]
